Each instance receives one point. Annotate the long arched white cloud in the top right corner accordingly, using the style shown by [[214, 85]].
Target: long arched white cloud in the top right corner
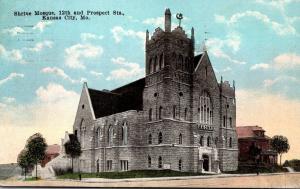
[[280, 29]]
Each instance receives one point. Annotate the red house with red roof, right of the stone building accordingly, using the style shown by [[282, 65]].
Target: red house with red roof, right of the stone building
[[255, 135]]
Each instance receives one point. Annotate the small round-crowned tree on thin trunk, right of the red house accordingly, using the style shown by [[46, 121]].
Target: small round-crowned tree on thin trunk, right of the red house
[[280, 144]]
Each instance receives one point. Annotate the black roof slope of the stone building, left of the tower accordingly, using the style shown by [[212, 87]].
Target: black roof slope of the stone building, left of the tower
[[127, 97]]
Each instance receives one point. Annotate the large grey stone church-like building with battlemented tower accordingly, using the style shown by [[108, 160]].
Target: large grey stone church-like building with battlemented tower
[[177, 117]]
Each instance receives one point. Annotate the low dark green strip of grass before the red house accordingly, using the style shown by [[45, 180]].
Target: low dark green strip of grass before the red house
[[253, 169]]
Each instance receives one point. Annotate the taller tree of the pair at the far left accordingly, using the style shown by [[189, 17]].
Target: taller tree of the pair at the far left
[[36, 146]]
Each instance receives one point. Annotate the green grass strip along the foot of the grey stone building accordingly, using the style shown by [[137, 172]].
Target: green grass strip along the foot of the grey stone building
[[129, 174]]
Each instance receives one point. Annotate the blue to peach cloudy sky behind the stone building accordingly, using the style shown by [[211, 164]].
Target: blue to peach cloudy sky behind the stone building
[[43, 63]]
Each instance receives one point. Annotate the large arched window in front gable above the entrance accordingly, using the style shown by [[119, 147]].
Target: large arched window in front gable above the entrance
[[206, 109]]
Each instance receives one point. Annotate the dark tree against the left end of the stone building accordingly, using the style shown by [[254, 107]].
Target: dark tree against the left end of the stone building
[[73, 148]]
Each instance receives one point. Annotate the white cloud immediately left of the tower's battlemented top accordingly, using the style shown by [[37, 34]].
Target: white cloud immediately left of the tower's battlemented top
[[119, 32]]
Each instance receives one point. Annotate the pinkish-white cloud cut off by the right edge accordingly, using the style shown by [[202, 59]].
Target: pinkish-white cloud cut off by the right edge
[[287, 61]]
